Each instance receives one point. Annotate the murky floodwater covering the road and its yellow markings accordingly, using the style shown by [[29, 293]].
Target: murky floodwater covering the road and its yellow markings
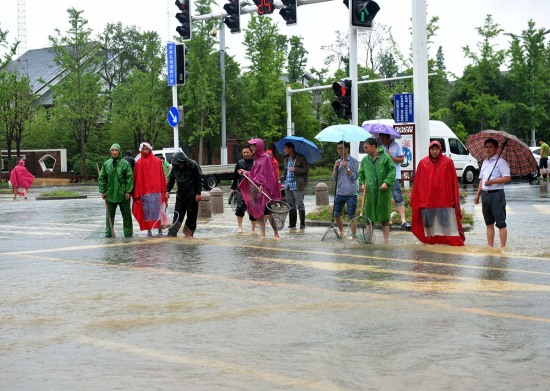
[[228, 311]]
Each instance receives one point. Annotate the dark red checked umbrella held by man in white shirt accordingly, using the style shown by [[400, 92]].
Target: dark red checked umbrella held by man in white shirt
[[512, 149]]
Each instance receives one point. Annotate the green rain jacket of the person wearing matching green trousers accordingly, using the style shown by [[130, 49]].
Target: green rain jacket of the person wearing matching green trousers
[[116, 180]]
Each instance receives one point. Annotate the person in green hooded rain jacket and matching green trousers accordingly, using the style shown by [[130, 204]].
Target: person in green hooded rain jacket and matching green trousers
[[116, 182]]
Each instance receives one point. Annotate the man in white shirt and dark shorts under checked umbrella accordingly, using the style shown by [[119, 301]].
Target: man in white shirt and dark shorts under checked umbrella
[[494, 173]]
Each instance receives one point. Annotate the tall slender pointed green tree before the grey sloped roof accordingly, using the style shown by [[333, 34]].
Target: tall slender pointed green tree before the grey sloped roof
[[78, 103]]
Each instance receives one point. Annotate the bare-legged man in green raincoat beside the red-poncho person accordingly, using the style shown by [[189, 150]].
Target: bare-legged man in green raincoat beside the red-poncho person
[[376, 177]]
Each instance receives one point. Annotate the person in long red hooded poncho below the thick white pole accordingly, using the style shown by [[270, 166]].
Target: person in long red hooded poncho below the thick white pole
[[436, 216]]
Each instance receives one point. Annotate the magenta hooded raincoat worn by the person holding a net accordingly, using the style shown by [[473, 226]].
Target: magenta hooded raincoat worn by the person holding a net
[[262, 174]]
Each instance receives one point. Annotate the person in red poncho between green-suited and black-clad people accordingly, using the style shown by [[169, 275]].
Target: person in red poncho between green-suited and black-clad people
[[149, 190]]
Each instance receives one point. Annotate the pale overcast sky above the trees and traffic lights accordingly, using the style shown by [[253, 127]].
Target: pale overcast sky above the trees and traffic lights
[[317, 22]]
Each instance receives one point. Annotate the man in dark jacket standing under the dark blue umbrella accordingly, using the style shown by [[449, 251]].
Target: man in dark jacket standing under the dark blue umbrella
[[295, 180]]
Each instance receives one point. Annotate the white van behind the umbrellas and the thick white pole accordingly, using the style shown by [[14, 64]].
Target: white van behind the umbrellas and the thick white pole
[[467, 167]]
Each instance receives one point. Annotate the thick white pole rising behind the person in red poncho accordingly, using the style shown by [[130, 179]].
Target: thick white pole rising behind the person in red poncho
[[420, 80]]
